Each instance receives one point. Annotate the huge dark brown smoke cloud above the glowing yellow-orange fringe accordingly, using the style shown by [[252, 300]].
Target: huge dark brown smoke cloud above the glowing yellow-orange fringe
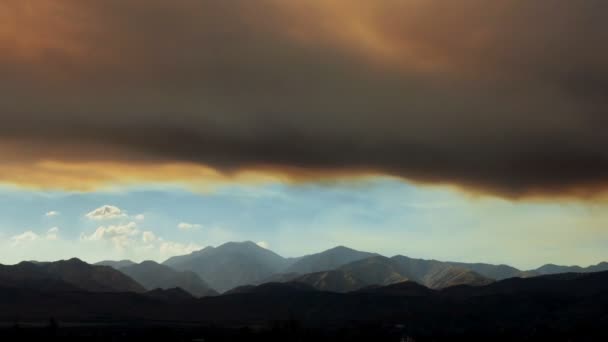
[[507, 97]]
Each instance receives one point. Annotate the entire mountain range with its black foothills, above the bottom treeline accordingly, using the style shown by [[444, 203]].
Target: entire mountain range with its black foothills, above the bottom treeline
[[349, 288]]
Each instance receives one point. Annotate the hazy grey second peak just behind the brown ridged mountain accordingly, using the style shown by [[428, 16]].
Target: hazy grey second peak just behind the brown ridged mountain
[[327, 260]]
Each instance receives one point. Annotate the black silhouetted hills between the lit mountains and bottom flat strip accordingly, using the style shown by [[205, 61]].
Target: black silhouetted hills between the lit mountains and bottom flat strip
[[571, 305]]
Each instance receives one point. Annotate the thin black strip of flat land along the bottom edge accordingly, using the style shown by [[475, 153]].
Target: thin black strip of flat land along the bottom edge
[[275, 331]]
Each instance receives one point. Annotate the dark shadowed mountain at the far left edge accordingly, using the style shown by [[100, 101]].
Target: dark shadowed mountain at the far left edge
[[67, 275]]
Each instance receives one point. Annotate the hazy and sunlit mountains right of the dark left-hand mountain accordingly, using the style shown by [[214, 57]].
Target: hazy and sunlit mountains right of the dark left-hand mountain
[[339, 269]]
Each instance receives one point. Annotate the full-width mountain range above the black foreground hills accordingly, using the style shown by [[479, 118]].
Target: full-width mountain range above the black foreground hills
[[236, 266]]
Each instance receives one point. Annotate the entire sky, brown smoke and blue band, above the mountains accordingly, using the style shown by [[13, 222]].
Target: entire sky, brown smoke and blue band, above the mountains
[[463, 130]]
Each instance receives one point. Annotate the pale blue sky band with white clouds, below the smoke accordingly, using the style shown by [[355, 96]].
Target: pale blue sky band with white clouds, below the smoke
[[381, 214]]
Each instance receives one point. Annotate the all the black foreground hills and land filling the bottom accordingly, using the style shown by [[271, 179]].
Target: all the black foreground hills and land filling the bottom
[[565, 307]]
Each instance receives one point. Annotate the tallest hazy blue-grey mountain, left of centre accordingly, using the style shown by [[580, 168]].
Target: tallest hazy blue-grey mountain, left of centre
[[231, 265]]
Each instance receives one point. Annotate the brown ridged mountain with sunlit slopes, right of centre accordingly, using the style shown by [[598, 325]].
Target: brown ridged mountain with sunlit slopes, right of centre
[[381, 271]]
